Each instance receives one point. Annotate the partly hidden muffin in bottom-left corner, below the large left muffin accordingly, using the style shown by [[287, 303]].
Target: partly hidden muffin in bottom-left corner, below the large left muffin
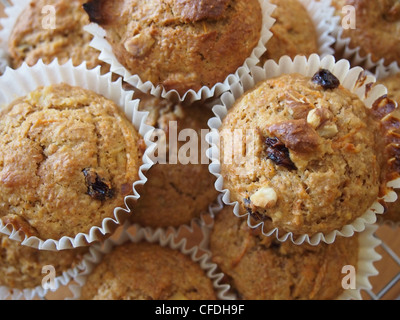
[[21, 266]]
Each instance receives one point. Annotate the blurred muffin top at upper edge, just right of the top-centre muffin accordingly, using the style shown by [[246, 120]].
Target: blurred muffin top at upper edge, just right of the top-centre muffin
[[293, 32]]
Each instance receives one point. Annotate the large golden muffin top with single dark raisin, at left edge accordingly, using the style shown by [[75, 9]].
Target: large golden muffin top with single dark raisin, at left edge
[[68, 157]]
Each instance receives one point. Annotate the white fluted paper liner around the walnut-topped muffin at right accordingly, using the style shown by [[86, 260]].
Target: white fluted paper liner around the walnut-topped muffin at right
[[350, 79]]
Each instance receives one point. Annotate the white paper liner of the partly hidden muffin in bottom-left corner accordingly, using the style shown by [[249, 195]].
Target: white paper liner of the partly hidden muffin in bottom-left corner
[[66, 279]]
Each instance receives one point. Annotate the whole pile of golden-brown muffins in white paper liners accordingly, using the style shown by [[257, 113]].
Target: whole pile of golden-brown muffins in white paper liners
[[78, 160]]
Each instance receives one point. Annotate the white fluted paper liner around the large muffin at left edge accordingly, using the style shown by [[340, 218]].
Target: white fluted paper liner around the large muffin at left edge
[[18, 83]]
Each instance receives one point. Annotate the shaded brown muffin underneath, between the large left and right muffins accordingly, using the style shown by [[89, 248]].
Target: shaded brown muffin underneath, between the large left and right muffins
[[175, 193]]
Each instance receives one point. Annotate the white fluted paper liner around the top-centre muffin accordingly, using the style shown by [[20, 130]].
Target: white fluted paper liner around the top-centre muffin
[[100, 43]]
